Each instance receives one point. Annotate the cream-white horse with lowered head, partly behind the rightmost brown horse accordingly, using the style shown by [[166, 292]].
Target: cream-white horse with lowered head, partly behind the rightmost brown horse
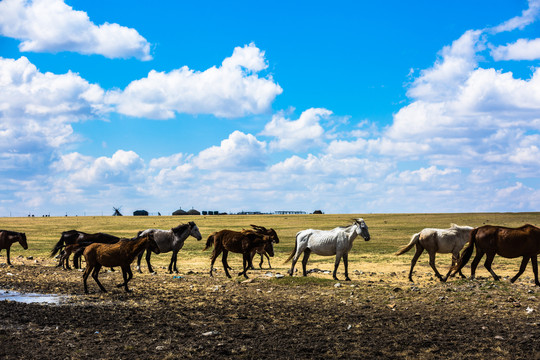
[[442, 241]]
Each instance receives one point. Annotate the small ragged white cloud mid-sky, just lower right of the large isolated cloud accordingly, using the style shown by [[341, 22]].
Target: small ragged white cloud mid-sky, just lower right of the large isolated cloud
[[298, 134]]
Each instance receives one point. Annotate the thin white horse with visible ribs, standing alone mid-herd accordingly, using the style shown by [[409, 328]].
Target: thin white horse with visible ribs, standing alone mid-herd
[[337, 242]]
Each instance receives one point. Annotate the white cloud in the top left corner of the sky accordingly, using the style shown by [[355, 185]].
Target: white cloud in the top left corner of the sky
[[53, 26]]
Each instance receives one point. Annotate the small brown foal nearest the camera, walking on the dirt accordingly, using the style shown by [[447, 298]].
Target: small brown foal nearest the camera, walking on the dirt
[[120, 254]]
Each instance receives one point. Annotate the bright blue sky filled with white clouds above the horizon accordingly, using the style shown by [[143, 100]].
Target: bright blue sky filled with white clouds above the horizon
[[345, 106]]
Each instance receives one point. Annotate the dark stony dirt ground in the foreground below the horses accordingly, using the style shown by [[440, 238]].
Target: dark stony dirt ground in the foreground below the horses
[[377, 315]]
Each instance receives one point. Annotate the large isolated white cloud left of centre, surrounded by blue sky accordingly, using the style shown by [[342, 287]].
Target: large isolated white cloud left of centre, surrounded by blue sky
[[232, 90]]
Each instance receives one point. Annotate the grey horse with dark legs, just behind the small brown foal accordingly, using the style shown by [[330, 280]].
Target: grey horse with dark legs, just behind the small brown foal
[[169, 240]]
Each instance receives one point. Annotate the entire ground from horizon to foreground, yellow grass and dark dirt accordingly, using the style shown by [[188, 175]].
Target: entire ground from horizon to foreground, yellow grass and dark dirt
[[378, 315]]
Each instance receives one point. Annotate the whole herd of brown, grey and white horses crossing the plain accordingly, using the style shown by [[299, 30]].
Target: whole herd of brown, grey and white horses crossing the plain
[[102, 249]]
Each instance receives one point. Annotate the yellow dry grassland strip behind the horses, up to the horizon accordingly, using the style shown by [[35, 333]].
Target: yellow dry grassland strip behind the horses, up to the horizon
[[388, 232]]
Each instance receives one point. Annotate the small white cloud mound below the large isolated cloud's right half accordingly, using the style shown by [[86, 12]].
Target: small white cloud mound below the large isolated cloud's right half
[[240, 152]]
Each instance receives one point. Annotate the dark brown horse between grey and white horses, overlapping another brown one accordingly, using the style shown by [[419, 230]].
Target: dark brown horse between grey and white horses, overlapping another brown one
[[237, 242]]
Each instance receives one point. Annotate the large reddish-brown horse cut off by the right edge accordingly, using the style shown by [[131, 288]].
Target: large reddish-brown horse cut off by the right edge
[[506, 242]]
